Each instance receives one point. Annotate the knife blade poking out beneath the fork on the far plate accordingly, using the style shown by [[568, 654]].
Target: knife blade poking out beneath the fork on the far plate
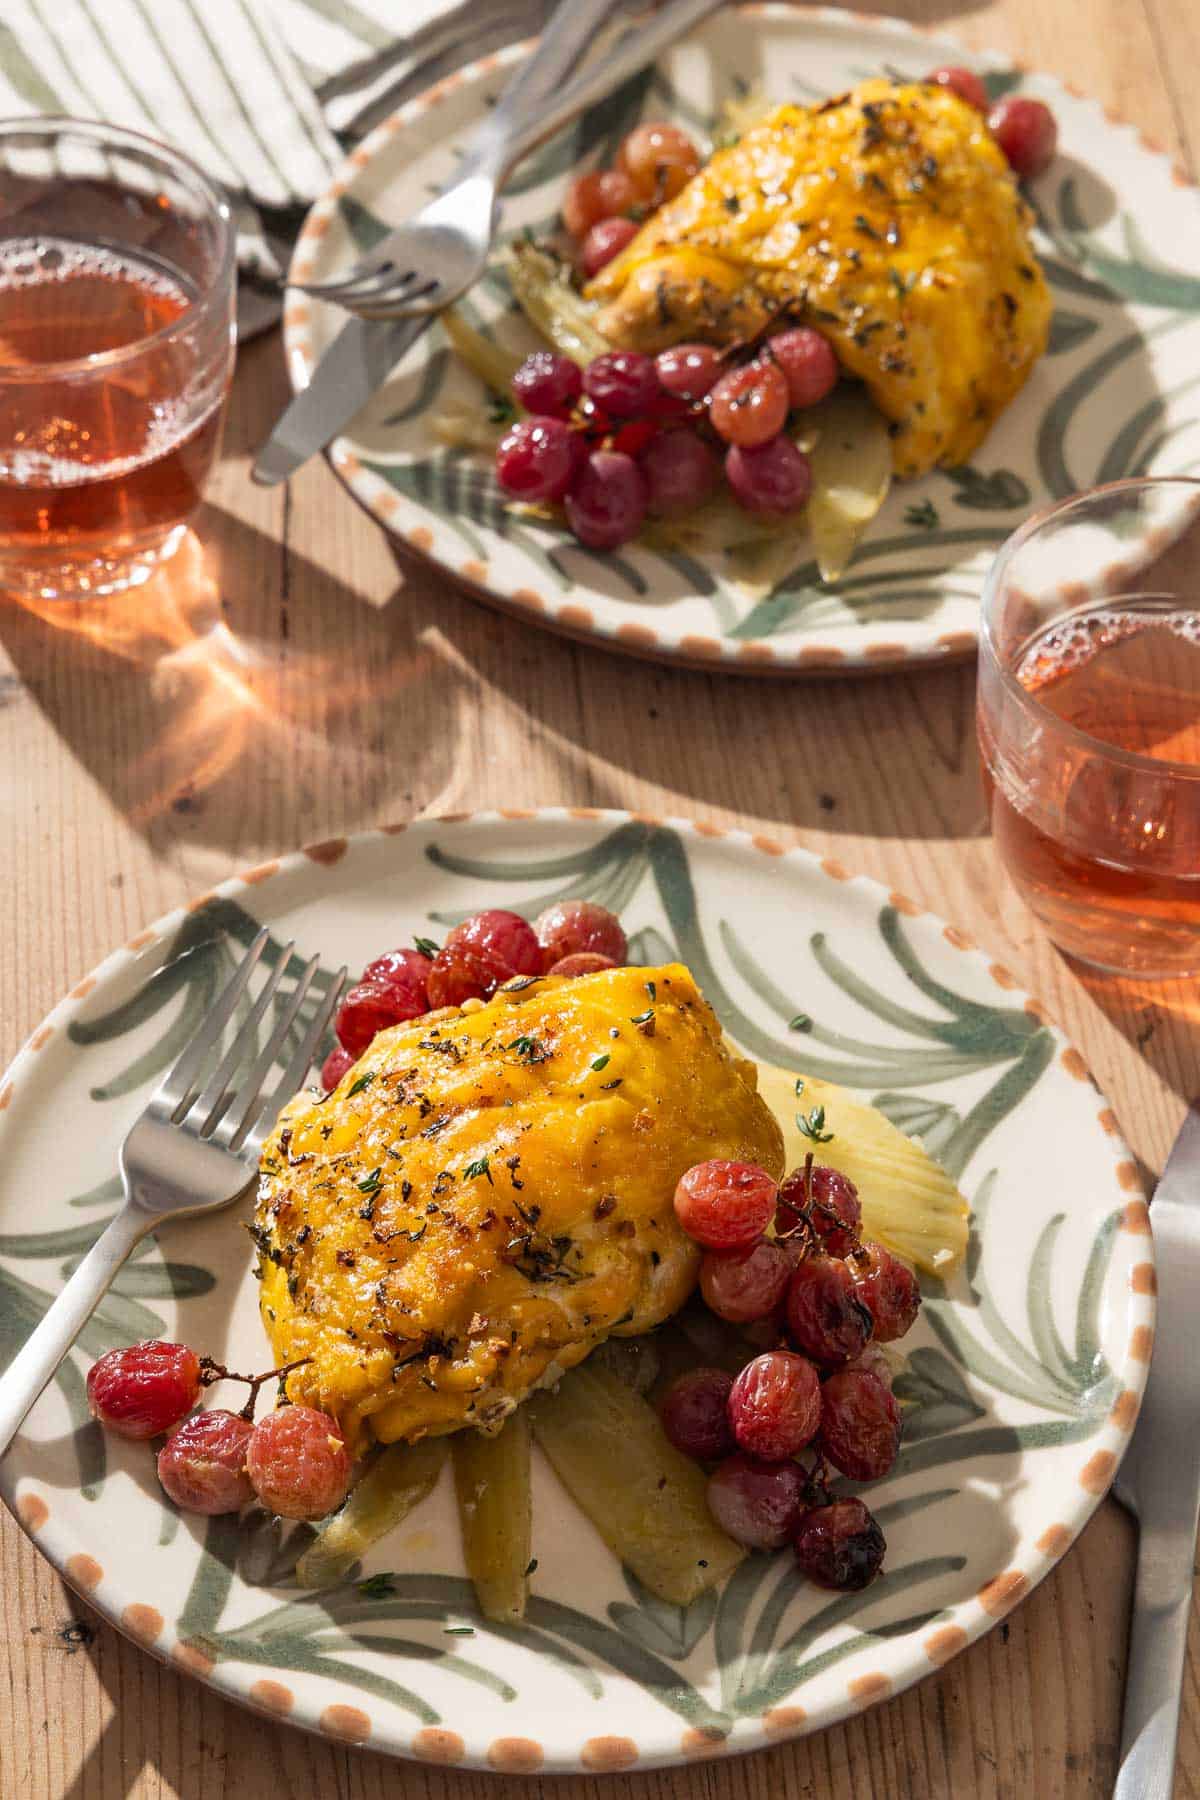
[[359, 363]]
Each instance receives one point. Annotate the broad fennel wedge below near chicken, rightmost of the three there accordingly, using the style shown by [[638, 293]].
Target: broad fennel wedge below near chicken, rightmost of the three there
[[643, 1497]]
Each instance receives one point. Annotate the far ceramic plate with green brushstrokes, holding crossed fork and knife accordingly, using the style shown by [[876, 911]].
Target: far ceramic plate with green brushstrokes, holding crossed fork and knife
[[1116, 395]]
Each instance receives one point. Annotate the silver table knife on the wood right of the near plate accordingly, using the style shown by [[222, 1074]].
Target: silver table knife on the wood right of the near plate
[[1161, 1484]]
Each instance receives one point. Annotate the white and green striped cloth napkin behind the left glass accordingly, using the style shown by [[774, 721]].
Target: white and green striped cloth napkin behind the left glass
[[264, 94]]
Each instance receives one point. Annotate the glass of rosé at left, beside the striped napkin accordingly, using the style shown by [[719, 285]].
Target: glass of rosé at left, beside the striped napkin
[[116, 352]]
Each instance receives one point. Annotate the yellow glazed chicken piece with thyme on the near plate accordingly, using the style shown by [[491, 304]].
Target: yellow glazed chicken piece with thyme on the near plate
[[487, 1196]]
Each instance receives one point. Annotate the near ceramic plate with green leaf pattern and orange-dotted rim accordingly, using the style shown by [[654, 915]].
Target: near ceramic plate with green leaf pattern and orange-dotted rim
[[1023, 1380]]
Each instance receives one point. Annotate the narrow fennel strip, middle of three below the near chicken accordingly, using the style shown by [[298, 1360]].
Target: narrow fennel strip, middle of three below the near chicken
[[492, 1479]]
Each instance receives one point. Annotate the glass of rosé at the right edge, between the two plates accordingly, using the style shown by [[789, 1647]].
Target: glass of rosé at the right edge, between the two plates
[[1089, 723]]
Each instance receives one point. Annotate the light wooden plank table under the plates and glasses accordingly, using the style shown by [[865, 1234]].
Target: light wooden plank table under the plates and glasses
[[136, 771]]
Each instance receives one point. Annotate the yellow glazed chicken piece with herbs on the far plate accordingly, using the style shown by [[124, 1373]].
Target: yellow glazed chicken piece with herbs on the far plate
[[890, 220]]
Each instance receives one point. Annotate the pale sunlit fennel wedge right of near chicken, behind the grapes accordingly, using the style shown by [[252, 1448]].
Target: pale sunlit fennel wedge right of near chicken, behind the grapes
[[909, 1203]]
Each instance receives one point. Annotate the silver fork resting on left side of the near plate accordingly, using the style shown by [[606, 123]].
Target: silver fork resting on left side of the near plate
[[193, 1151]]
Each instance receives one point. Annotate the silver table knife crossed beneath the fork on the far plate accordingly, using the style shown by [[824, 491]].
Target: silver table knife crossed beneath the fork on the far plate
[[366, 350]]
